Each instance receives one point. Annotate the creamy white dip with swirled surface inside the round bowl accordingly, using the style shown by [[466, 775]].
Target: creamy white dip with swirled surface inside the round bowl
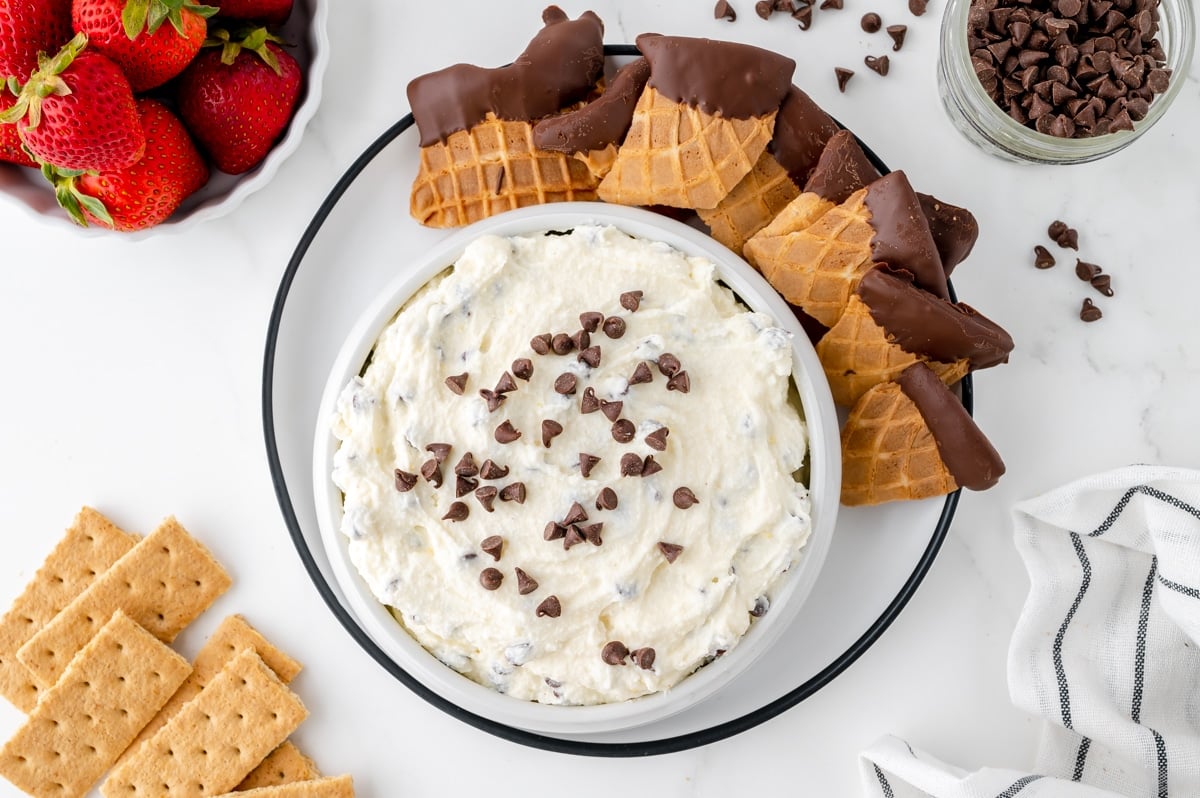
[[735, 440]]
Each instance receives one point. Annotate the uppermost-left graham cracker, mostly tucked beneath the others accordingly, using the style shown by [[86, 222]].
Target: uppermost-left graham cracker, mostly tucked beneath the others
[[89, 548]]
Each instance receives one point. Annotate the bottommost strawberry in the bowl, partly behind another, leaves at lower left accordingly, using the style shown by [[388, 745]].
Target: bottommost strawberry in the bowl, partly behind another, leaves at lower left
[[146, 194]]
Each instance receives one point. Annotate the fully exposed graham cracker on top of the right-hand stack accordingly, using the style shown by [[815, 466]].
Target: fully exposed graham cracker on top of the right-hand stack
[[217, 740]]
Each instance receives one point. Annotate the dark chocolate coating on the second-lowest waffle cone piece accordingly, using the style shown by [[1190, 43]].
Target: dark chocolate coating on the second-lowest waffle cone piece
[[923, 325]]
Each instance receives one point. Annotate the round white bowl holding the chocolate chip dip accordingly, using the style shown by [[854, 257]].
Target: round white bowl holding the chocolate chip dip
[[787, 596]]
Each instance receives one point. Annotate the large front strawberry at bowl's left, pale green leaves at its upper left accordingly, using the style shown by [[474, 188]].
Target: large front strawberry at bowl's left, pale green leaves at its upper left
[[77, 112]]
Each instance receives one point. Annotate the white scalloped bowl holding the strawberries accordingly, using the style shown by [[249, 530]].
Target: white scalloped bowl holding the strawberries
[[307, 31]]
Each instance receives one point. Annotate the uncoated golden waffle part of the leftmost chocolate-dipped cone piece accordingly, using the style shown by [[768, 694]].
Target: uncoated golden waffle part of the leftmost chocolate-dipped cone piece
[[493, 167]]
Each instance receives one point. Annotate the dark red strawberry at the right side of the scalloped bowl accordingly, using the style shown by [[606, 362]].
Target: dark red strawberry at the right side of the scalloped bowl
[[238, 100]]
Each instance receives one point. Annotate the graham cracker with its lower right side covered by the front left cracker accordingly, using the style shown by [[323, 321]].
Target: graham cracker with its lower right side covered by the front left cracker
[[163, 584]]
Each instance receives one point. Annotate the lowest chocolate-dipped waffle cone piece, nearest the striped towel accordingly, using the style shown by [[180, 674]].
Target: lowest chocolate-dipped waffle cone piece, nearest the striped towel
[[914, 440]]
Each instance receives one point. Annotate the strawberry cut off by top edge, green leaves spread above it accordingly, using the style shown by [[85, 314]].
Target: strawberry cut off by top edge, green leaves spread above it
[[133, 35]]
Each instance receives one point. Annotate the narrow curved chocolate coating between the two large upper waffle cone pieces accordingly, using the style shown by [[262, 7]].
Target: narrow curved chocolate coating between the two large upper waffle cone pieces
[[601, 123]]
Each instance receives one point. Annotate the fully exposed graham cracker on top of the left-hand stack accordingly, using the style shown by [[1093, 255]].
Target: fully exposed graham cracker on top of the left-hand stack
[[109, 692]]
